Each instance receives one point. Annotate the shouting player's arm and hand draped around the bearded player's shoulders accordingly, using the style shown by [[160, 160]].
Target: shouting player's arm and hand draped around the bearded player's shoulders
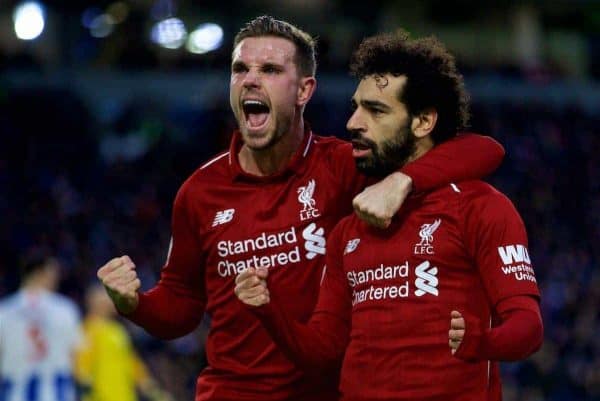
[[467, 156]]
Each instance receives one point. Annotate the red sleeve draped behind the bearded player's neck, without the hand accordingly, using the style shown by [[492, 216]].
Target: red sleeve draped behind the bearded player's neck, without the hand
[[465, 157]]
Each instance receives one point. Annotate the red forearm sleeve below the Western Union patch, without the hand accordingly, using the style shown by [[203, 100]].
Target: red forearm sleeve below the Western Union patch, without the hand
[[519, 334]]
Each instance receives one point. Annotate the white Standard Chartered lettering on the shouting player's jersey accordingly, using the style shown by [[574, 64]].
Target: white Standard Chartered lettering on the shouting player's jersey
[[225, 249]]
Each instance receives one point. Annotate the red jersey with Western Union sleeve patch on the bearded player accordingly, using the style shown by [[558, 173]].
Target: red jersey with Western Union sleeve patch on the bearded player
[[463, 247]]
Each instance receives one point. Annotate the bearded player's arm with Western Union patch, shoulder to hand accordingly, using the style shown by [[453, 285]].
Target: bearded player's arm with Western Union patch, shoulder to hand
[[495, 236]]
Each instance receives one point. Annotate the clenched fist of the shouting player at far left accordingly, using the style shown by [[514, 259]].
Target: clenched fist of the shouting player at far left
[[121, 282]]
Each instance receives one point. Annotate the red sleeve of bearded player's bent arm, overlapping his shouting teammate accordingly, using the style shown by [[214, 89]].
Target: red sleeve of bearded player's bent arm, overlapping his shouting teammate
[[319, 344]]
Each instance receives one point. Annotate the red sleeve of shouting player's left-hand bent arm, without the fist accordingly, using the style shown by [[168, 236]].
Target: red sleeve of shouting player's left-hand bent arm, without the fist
[[175, 306]]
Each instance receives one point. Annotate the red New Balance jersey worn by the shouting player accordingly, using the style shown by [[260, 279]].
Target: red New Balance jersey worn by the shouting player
[[225, 220]]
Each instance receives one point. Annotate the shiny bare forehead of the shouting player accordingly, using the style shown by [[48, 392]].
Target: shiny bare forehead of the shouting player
[[264, 49]]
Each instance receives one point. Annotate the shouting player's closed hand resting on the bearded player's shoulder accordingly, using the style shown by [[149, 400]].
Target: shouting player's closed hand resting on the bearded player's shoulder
[[378, 203]]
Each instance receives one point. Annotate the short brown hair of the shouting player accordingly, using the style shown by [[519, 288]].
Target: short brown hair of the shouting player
[[266, 25]]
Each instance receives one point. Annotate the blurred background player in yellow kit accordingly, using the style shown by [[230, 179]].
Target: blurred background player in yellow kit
[[108, 367]]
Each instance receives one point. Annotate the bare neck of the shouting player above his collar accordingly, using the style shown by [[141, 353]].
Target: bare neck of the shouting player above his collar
[[264, 162]]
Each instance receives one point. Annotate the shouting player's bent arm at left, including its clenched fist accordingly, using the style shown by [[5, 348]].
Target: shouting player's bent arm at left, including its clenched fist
[[174, 307]]
